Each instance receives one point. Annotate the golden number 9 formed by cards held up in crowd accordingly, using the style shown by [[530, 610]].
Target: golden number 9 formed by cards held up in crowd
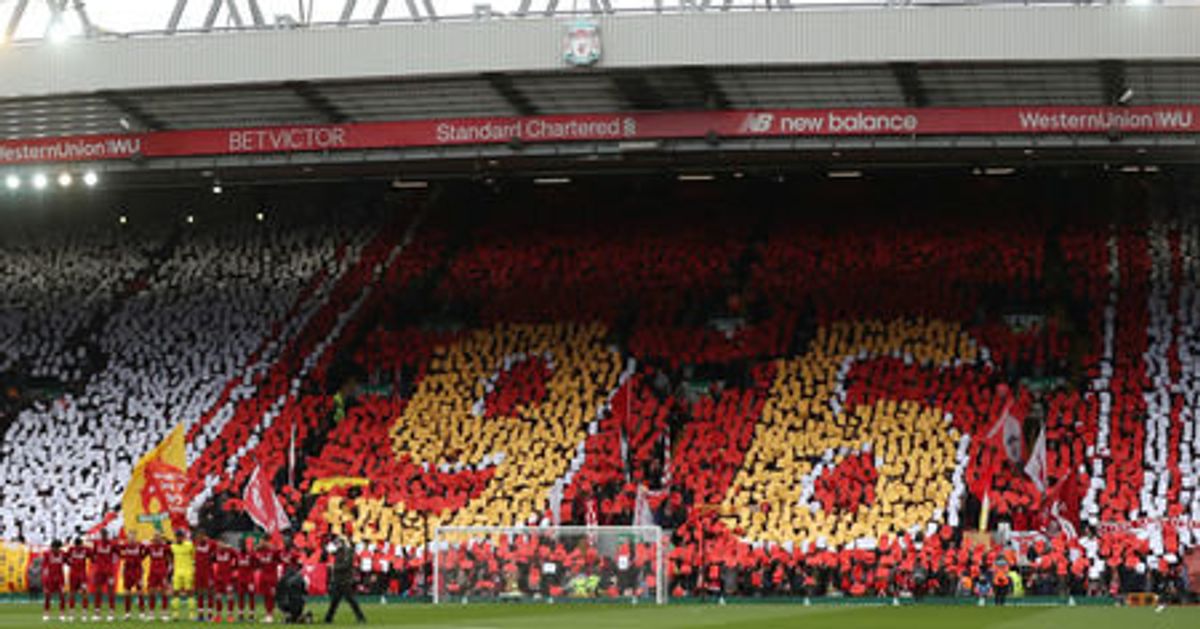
[[505, 454]]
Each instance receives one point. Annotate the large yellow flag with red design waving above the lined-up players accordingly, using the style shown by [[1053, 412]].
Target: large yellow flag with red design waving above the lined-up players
[[154, 500]]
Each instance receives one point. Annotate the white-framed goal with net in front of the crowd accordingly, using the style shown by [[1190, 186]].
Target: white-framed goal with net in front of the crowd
[[549, 564]]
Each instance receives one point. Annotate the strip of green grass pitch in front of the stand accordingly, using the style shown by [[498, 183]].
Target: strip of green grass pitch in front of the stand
[[766, 616]]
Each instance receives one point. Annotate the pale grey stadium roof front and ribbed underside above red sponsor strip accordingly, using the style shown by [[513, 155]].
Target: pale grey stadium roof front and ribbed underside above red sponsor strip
[[836, 57]]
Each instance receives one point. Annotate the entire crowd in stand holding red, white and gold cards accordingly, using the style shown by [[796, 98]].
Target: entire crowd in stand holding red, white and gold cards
[[808, 409]]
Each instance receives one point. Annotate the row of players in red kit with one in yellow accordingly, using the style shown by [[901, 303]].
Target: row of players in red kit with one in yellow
[[224, 580]]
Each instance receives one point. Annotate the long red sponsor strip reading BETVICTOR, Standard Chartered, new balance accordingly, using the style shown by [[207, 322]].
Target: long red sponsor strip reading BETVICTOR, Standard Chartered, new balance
[[609, 128]]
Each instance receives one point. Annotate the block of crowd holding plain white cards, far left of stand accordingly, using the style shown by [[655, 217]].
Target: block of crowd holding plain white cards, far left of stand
[[189, 327]]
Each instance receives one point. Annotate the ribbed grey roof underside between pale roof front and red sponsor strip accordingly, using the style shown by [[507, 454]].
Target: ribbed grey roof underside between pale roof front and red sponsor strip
[[939, 85]]
